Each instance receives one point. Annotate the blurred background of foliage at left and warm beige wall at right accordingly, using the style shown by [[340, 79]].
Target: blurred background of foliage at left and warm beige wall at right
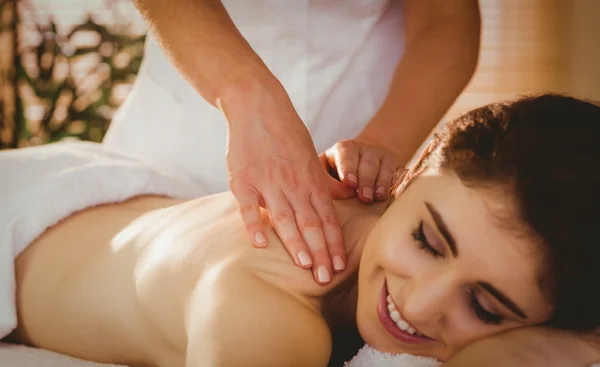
[[66, 65]]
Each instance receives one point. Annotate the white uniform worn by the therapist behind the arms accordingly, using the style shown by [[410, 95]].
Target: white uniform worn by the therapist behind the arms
[[335, 59]]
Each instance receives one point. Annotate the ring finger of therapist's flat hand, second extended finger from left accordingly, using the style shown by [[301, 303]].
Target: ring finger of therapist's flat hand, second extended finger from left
[[284, 223]]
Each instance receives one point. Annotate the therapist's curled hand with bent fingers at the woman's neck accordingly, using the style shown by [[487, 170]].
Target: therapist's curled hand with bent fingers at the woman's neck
[[362, 166]]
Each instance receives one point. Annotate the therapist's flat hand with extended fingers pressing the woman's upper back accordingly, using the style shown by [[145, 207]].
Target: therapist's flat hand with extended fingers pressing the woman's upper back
[[273, 163]]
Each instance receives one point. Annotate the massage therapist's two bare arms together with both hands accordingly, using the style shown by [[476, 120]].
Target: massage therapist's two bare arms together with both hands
[[442, 43]]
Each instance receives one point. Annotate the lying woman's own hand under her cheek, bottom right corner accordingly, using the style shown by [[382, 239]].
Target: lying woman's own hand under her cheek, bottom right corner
[[530, 347]]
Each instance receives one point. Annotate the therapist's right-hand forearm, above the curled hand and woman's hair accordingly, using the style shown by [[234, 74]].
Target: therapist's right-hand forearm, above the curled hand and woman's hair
[[438, 63]]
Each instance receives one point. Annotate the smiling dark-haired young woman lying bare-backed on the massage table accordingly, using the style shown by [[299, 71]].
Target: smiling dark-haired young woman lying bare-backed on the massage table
[[493, 229]]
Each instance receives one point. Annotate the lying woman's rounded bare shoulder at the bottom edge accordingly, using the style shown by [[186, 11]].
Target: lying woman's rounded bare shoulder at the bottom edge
[[252, 322]]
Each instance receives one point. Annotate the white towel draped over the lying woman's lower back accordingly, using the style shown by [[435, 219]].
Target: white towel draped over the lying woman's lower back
[[40, 186]]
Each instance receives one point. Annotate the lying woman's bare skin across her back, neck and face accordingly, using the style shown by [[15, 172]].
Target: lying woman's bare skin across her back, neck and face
[[159, 282]]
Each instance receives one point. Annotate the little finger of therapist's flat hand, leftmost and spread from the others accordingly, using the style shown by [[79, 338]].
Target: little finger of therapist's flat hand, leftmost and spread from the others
[[248, 200]]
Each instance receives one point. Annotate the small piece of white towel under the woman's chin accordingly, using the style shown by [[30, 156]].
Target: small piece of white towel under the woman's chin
[[370, 357]]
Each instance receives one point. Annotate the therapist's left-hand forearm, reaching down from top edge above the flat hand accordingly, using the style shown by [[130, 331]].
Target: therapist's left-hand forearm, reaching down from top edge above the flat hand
[[206, 47]]
